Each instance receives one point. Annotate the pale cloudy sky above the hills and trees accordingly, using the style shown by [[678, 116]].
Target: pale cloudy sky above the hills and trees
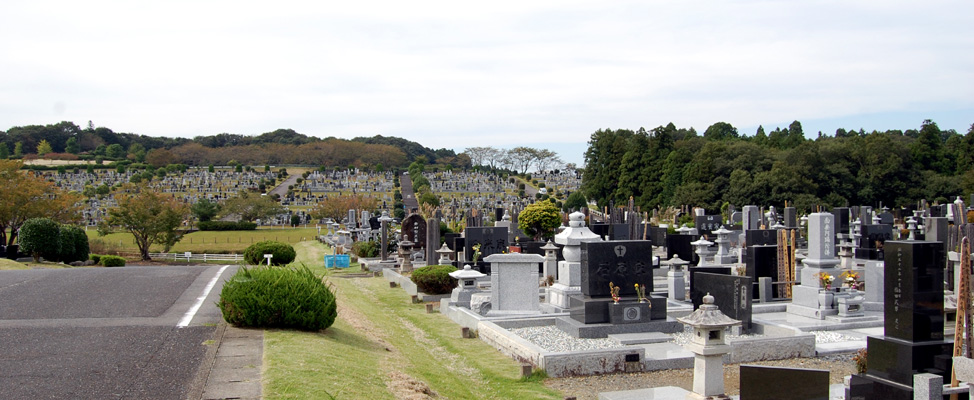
[[453, 74]]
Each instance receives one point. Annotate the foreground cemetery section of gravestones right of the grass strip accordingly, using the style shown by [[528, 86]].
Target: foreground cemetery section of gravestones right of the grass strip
[[628, 296]]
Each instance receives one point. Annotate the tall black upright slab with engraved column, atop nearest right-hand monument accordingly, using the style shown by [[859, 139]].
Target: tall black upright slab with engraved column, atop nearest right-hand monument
[[914, 290]]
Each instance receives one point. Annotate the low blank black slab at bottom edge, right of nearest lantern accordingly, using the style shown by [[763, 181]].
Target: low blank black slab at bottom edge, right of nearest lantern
[[759, 382]]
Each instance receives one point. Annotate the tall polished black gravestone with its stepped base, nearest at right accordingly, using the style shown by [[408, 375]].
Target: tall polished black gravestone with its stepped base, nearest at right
[[913, 326]]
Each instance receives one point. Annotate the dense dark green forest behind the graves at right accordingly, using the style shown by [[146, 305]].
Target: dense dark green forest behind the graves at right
[[667, 166]]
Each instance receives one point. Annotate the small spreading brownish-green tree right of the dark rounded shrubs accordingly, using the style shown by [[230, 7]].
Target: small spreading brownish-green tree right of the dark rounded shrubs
[[149, 216]]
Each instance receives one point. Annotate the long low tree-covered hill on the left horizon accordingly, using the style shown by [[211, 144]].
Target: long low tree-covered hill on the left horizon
[[283, 146]]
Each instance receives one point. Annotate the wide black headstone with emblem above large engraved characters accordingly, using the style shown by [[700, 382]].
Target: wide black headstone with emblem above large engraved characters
[[623, 263]]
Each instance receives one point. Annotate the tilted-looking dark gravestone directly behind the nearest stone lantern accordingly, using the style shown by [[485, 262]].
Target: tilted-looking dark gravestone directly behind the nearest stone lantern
[[731, 293]]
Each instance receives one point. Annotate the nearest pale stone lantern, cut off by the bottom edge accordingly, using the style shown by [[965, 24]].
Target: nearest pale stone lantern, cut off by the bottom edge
[[708, 347]]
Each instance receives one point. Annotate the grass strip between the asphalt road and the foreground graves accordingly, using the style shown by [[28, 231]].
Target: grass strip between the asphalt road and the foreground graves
[[384, 347]]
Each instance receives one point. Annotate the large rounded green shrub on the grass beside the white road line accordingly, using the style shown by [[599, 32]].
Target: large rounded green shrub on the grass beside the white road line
[[278, 297]]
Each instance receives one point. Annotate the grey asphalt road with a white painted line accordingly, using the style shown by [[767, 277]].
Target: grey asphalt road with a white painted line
[[105, 333]]
